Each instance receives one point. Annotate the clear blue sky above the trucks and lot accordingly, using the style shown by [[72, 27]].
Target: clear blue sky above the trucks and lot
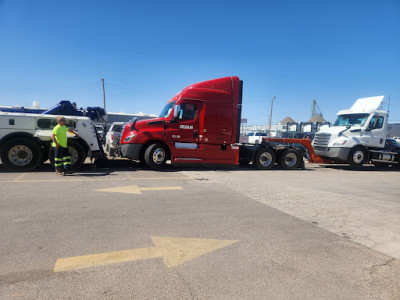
[[147, 51]]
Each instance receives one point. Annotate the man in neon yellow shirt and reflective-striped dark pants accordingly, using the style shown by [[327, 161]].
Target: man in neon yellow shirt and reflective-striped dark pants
[[62, 158]]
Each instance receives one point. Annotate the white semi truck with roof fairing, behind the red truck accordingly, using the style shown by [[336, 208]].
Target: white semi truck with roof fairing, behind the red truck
[[358, 136]]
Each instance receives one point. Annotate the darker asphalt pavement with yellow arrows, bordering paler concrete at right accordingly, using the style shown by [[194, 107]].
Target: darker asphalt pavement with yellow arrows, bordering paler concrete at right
[[132, 233]]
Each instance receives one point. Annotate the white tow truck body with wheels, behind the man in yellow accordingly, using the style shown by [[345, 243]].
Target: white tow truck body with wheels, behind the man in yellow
[[25, 140]]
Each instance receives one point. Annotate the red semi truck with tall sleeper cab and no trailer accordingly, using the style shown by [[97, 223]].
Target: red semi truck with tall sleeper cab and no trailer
[[201, 125]]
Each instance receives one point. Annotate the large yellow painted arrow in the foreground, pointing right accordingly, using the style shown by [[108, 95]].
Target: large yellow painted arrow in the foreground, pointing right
[[174, 251]]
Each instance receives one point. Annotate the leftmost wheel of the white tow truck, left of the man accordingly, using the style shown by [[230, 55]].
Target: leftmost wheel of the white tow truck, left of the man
[[21, 155]]
